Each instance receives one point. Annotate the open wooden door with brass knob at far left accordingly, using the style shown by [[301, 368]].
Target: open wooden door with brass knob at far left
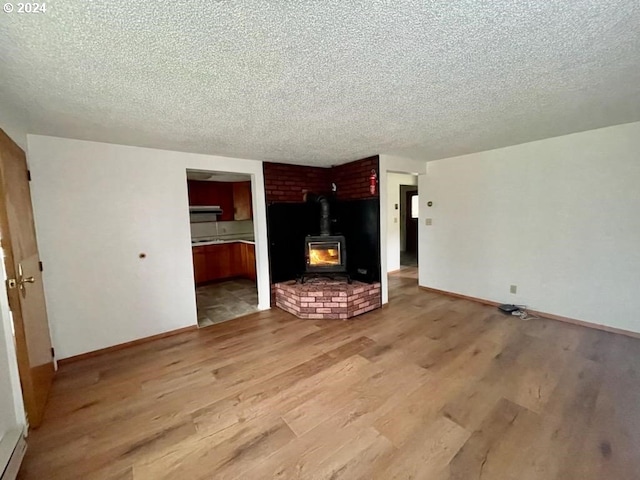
[[22, 264]]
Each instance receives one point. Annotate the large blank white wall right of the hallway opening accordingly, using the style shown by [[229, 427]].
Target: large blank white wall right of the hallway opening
[[559, 218]]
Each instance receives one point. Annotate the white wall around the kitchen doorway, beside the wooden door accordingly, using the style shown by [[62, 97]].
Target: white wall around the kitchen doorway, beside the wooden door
[[98, 206]]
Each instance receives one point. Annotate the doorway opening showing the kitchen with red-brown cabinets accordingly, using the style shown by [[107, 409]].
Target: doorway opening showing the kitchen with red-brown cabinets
[[223, 245]]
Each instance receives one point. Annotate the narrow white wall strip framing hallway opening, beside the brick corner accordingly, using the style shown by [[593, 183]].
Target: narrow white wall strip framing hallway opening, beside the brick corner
[[392, 164]]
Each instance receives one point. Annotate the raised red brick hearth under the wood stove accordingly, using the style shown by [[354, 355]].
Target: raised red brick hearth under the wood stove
[[322, 299]]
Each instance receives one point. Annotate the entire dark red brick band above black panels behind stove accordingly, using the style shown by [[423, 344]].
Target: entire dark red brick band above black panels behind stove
[[286, 183]]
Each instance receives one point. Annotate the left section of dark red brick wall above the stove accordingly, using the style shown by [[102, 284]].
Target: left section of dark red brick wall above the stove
[[286, 183]]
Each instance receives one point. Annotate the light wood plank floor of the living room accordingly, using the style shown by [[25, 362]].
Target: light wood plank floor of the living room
[[429, 387]]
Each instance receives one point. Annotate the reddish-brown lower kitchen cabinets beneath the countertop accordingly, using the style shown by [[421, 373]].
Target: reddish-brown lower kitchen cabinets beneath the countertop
[[222, 261]]
